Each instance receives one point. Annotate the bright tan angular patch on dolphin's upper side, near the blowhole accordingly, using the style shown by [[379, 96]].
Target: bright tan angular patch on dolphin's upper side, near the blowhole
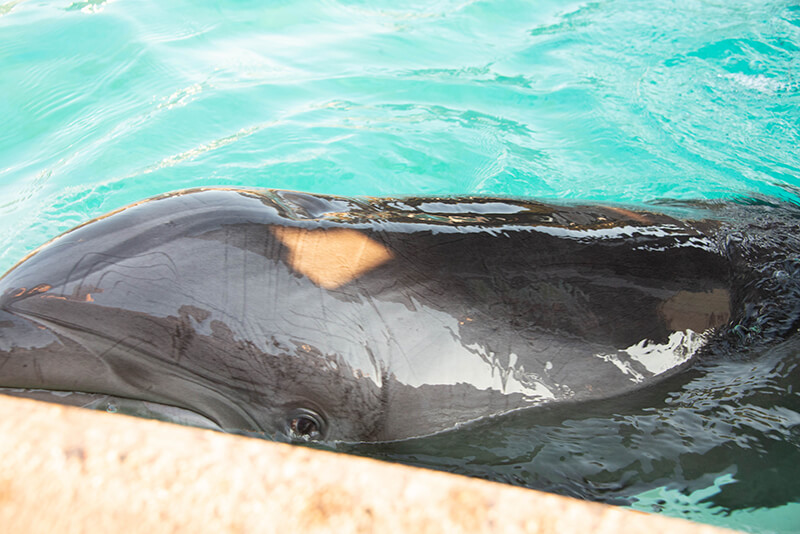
[[331, 257]]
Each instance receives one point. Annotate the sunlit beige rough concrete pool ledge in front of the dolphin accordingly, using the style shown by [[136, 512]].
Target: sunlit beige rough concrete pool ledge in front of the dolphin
[[65, 470]]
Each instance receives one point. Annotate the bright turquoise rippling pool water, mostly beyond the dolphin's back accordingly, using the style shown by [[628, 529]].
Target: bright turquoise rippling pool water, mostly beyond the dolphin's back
[[643, 103]]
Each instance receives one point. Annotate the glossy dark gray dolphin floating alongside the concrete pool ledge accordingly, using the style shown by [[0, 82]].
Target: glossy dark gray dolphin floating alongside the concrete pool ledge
[[303, 316]]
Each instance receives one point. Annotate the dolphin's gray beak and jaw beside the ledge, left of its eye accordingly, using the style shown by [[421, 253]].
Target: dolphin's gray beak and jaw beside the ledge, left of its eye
[[122, 377]]
